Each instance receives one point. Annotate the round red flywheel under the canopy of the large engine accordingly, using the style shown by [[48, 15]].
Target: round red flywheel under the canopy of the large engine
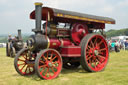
[[78, 32]]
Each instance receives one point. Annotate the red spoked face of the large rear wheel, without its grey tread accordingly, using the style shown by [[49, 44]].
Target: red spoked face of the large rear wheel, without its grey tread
[[96, 53]]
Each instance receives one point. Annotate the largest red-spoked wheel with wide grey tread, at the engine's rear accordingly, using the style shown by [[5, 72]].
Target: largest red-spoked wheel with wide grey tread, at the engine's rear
[[94, 53]]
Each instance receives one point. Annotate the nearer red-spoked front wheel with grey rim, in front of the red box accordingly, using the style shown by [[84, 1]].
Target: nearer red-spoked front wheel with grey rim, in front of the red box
[[48, 64]]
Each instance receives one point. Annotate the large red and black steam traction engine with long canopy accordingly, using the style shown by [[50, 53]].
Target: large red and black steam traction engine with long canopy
[[70, 46]]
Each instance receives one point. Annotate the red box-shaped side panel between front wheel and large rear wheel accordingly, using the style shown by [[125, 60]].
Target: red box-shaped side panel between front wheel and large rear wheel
[[71, 51]]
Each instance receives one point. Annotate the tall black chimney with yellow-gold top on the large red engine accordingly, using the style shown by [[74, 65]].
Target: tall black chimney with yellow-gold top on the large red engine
[[38, 17]]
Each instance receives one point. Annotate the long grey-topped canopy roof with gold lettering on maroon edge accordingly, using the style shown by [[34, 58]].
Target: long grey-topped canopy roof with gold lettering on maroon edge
[[69, 16]]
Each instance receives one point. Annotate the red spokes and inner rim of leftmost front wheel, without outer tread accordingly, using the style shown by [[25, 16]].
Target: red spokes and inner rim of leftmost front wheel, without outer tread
[[24, 67]]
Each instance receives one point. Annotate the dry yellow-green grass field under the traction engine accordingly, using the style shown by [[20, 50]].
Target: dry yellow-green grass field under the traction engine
[[116, 73]]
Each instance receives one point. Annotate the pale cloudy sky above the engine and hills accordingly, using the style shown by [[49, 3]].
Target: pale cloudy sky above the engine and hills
[[14, 14]]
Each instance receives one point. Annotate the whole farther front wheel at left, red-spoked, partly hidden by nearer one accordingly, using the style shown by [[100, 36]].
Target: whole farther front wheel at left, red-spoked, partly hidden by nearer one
[[24, 64]]
